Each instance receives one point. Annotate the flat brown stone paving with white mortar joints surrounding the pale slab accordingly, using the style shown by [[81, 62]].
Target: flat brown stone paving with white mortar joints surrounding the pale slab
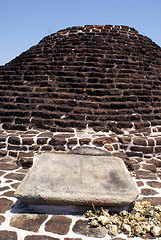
[[18, 222]]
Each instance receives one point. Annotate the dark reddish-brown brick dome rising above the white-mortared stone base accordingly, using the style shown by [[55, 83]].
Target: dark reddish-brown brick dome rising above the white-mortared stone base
[[105, 76]]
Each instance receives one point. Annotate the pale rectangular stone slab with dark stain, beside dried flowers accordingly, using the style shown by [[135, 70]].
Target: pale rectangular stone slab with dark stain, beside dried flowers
[[77, 179]]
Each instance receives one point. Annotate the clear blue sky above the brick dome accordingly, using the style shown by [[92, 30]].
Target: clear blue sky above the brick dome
[[23, 23]]
